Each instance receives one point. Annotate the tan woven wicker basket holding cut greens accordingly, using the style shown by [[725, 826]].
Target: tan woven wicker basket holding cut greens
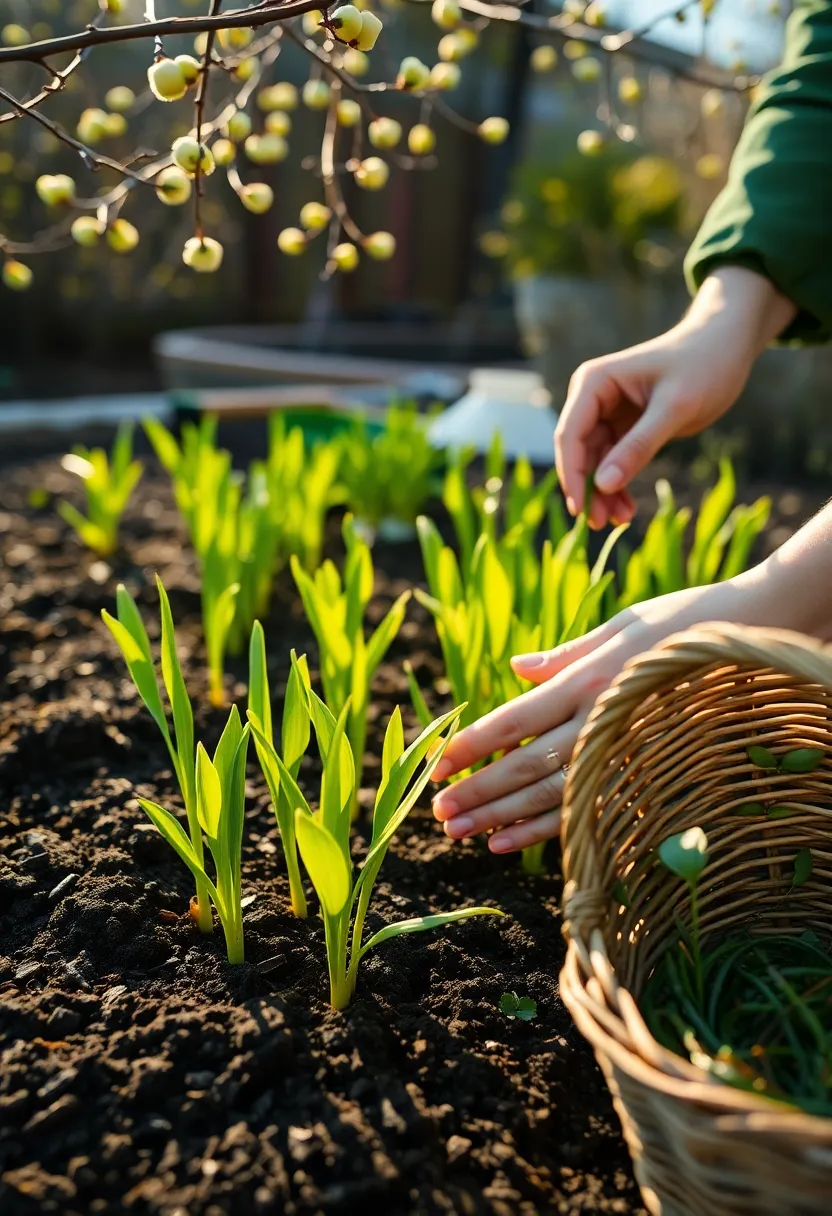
[[664, 751]]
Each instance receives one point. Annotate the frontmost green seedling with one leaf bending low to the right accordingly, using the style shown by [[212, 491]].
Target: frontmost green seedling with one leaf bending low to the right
[[324, 836]]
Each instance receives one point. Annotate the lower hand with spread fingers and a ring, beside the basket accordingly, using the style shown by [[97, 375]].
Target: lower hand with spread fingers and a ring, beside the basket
[[519, 796]]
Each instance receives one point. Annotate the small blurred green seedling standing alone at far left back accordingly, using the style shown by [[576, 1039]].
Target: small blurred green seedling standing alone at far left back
[[109, 482]]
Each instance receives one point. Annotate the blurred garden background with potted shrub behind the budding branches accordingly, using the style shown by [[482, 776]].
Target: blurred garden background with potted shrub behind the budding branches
[[544, 251]]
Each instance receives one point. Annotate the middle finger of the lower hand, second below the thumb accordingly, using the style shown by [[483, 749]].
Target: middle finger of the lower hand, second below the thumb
[[518, 770]]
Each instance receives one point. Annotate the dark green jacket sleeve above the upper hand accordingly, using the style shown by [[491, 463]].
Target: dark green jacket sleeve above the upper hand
[[775, 213]]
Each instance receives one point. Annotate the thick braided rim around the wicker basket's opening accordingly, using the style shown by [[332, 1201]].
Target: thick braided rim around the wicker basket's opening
[[588, 981]]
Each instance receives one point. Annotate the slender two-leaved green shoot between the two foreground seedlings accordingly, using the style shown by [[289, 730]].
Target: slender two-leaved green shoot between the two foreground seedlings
[[295, 741]]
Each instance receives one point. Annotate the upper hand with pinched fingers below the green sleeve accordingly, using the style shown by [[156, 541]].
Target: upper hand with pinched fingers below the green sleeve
[[622, 409]]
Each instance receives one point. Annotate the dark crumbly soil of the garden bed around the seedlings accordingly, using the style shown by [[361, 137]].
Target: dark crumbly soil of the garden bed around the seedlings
[[143, 1074]]
